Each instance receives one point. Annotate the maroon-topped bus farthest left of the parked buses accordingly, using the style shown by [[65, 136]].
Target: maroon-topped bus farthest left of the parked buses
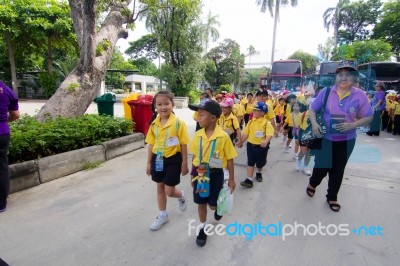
[[286, 74]]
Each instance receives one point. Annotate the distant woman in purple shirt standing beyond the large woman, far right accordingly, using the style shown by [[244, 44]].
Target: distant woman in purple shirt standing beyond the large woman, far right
[[378, 104]]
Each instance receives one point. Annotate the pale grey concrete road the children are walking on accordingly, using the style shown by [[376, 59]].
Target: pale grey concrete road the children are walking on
[[102, 216]]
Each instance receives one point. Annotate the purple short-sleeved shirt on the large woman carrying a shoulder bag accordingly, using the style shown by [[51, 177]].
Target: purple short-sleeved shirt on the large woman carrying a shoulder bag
[[349, 109]]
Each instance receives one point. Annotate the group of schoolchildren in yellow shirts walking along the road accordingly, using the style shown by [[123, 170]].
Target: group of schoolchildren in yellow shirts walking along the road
[[221, 124]]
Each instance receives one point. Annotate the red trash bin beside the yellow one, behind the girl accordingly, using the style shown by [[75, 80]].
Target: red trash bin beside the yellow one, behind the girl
[[141, 114]]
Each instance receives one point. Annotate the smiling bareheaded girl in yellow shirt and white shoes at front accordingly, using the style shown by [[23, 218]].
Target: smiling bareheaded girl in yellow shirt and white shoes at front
[[167, 155]]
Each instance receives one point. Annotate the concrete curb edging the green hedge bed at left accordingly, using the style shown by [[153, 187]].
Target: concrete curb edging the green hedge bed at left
[[33, 173]]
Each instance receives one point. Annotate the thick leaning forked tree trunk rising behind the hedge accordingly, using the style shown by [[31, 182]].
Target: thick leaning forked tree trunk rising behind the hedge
[[78, 90]]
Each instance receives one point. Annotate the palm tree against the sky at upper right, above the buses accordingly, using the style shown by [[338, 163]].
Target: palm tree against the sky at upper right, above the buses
[[334, 16]]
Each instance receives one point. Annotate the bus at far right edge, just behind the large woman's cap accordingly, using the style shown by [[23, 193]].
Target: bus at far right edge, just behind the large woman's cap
[[387, 72]]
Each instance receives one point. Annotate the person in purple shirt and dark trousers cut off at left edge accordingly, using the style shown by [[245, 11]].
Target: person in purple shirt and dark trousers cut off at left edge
[[8, 113]]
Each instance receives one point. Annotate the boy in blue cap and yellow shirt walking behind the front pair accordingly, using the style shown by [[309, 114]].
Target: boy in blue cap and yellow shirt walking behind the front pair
[[259, 132]]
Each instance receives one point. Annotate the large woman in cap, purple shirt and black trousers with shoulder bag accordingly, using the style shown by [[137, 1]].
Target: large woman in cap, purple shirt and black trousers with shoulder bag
[[347, 108]]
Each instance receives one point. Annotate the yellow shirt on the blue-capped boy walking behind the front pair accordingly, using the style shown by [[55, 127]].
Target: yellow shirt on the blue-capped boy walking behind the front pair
[[256, 125]]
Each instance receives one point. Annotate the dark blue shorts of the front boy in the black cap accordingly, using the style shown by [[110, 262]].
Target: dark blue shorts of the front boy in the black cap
[[216, 184]]
